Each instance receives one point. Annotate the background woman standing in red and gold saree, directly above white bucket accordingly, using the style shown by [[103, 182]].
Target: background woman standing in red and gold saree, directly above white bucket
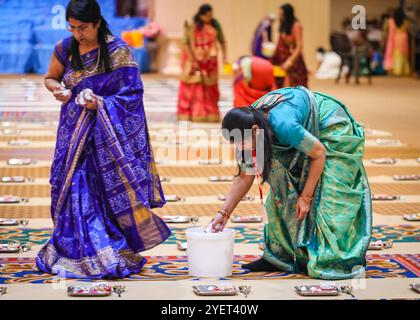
[[199, 92]]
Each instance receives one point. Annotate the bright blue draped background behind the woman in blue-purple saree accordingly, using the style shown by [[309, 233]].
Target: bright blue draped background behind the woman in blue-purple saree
[[27, 38]]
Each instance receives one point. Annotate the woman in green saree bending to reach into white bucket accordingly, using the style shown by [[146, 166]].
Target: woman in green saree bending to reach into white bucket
[[318, 210]]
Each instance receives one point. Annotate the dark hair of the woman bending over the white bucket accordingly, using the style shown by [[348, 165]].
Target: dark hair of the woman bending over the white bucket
[[244, 119]]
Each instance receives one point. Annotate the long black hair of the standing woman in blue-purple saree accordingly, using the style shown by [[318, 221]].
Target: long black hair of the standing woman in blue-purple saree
[[89, 11]]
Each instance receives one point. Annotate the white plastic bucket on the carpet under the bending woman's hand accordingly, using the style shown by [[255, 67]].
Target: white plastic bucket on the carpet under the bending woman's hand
[[210, 255]]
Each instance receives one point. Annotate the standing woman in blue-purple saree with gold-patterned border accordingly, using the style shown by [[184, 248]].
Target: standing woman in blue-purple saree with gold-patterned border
[[104, 181]]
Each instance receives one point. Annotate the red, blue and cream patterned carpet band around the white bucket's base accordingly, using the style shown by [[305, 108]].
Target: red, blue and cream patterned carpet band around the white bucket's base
[[167, 268]]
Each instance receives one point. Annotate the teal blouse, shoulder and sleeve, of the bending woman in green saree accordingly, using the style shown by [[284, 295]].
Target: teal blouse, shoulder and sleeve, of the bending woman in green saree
[[288, 118]]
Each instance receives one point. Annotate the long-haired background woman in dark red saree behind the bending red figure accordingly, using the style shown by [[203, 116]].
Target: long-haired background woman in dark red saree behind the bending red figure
[[289, 51]]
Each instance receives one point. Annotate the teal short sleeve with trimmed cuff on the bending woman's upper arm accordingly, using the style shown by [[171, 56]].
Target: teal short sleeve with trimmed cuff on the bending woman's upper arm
[[287, 121]]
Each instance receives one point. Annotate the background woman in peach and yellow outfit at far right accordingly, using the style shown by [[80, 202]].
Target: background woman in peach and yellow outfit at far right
[[397, 52]]
